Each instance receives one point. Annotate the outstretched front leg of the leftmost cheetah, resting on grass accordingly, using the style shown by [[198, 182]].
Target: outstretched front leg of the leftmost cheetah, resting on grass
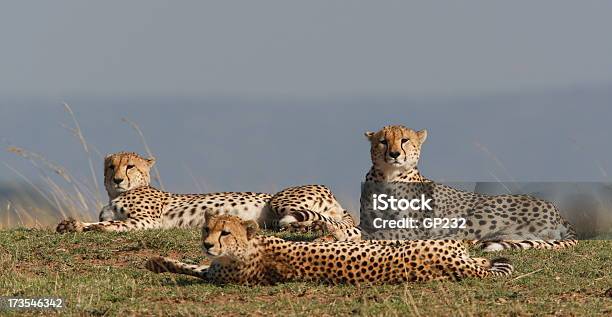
[[72, 225]]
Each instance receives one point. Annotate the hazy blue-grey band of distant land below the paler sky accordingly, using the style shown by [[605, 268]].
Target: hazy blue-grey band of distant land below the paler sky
[[254, 144]]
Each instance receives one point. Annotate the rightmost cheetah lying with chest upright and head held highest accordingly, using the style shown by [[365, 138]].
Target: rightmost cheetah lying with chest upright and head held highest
[[496, 222]]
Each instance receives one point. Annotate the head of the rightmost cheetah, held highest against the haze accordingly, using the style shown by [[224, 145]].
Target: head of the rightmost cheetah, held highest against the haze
[[396, 147]]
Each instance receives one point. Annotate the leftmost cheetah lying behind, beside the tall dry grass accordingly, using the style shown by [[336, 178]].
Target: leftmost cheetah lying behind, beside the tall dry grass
[[133, 204]]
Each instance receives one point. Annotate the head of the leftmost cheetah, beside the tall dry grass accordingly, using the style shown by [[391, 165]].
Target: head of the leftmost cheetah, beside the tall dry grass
[[124, 171]]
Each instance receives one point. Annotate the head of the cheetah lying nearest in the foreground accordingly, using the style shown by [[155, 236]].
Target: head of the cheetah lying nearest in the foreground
[[227, 235]]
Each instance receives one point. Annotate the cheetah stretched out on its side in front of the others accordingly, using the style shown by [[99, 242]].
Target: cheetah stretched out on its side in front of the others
[[240, 256]]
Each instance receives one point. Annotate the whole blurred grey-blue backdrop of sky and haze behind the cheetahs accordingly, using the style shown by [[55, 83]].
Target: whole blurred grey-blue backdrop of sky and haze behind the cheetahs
[[261, 95]]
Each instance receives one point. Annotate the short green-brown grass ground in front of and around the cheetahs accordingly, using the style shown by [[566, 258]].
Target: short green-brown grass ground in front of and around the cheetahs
[[103, 274]]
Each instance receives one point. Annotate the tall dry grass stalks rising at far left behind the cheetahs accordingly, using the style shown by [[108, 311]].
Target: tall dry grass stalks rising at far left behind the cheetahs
[[55, 193]]
